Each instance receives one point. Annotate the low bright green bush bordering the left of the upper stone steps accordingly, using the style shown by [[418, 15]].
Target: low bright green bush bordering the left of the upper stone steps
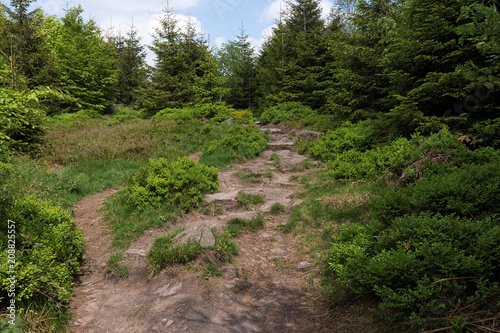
[[239, 142]]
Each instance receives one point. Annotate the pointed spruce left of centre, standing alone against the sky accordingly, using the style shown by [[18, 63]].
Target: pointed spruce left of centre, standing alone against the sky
[[182, 60]]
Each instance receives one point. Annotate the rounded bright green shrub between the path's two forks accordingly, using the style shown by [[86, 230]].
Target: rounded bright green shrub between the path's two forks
[[183, 183]]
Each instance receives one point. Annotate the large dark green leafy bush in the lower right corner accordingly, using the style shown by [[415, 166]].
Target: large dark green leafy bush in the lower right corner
[[422, 266]]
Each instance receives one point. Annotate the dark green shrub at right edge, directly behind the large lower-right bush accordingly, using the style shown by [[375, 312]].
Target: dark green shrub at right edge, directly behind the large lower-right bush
[[472, 190]]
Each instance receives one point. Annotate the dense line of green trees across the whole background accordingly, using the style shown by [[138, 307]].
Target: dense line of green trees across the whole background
[[415, 65]]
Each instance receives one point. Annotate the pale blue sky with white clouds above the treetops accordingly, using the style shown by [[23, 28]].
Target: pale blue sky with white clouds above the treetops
[[220, 20]]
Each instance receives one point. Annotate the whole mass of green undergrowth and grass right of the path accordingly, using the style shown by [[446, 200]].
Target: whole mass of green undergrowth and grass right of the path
[[411, 224]]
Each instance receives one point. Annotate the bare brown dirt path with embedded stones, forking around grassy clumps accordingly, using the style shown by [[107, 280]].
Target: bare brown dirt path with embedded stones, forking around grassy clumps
[[268, 288]]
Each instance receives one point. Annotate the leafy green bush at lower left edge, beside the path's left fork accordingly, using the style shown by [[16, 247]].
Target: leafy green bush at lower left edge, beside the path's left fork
[[48, 249]]
